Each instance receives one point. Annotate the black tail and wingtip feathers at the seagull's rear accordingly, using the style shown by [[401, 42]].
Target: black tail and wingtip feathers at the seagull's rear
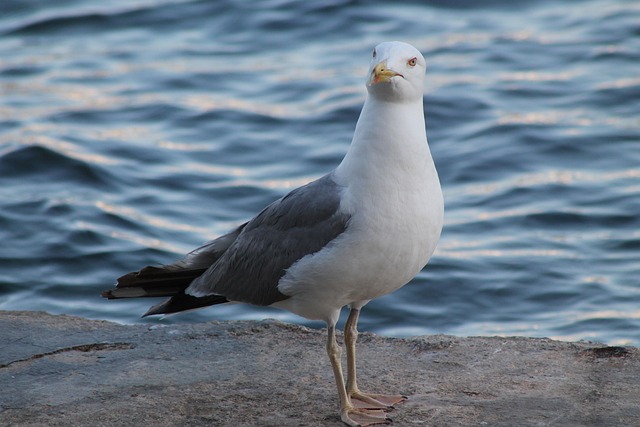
[[166, 281]]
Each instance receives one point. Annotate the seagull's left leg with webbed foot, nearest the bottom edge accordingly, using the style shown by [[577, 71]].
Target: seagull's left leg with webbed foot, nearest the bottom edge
[[348, 413]]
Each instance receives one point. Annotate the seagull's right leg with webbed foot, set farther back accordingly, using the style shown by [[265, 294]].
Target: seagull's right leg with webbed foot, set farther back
[[360, 399]]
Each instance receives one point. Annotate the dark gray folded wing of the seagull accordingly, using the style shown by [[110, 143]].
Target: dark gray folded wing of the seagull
[[301, 223]]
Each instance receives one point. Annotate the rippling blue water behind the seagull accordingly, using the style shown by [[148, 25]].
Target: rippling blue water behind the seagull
[[132, 131]]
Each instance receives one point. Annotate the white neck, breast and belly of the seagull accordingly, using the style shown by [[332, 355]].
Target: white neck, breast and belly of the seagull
[[392, 192]]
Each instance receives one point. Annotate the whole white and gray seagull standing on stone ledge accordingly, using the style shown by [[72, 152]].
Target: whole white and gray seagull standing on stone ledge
[[361, 231]]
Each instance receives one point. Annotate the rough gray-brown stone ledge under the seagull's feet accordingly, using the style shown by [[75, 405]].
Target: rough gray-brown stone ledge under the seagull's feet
[[69, 371]]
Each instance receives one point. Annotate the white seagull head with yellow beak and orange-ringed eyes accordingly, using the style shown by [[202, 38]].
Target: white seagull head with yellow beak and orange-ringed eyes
[[396, 72]]
